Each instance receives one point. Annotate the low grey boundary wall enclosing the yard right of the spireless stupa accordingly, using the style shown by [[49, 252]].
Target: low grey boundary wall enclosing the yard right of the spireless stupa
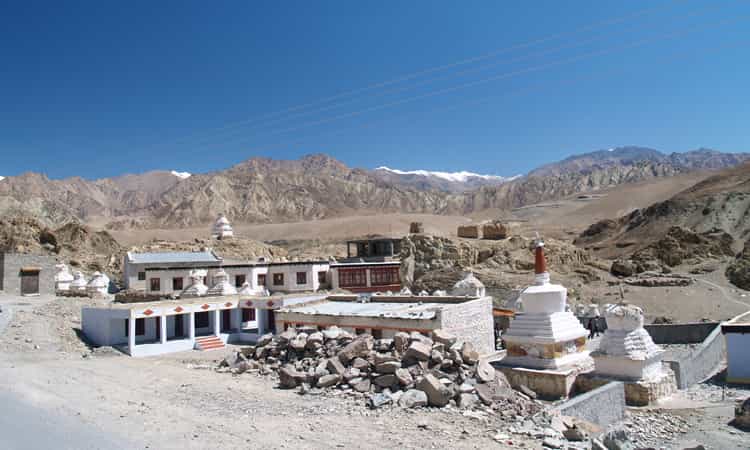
[[700, 363]]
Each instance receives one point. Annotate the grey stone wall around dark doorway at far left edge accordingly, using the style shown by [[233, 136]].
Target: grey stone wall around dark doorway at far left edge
[[10, 272]]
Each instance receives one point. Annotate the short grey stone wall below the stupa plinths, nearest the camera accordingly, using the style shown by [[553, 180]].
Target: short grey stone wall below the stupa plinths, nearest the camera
[[603, 406]]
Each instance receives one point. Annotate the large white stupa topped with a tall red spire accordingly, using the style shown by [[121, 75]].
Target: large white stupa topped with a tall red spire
[[546, 336]]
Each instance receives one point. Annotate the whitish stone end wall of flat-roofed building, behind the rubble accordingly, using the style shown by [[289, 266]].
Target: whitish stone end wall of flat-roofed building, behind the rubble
[[472, 322]]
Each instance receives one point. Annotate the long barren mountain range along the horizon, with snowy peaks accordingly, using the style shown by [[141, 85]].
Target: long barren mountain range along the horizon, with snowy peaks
[[264, 190]]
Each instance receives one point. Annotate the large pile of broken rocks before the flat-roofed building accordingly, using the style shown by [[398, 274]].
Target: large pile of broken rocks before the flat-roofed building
[[411, 369]]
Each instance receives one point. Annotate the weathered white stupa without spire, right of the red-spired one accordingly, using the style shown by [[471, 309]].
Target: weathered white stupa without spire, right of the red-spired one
[[627, 351]]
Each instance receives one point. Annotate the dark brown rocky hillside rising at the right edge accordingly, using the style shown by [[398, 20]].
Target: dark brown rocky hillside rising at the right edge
[[707, 222]]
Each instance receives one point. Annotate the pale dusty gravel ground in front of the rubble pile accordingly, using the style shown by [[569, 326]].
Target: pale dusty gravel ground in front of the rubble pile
[[178, 401]]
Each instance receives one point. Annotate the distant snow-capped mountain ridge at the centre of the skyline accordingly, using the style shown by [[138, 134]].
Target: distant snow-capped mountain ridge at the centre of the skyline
[[454, 182]]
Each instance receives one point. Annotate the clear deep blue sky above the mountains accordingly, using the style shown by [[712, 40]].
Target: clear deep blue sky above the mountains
[[103, 88]]
